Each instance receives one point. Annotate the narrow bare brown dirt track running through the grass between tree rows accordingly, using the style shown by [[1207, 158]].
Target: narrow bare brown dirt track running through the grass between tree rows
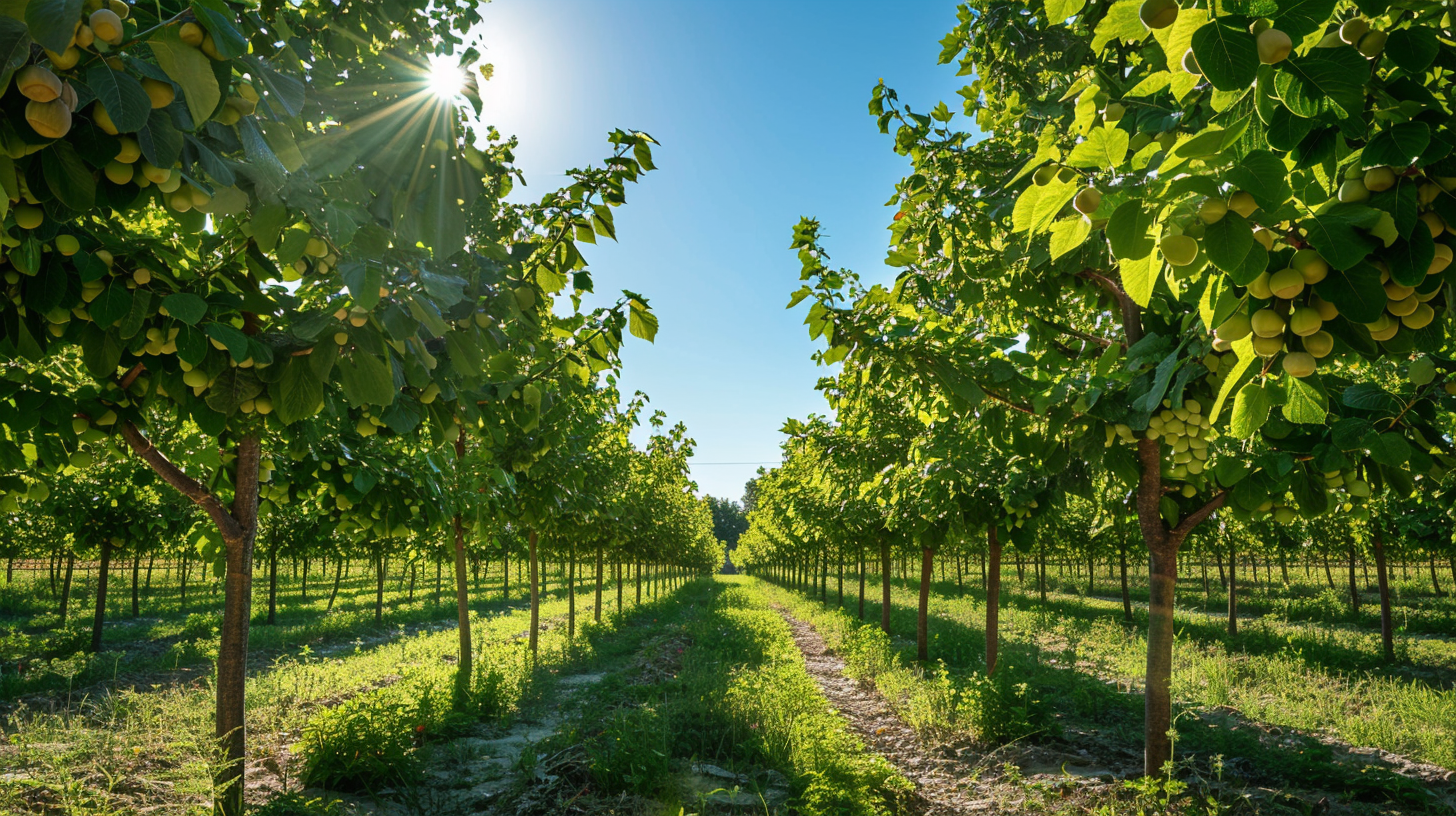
[[943, 783]]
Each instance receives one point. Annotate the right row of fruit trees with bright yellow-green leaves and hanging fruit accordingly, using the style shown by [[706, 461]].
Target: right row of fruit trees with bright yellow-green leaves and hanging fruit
[[1190, 267]]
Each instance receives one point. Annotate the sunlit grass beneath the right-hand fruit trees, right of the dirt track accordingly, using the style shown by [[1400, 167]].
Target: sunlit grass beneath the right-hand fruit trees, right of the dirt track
[[1075, 658]]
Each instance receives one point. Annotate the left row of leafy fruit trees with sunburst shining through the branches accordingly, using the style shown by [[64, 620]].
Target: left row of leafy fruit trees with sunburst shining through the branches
[[256, 251]]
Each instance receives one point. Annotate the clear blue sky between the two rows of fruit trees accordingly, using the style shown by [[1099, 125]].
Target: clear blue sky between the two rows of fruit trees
[[761, 110]]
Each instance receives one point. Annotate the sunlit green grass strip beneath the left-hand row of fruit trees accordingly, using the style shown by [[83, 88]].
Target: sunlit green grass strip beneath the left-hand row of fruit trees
[[124, 750]]
